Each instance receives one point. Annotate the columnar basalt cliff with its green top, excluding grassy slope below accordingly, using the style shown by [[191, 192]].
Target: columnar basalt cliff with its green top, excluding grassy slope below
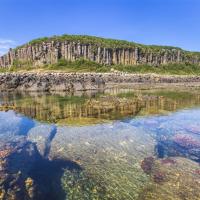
[[44, 51]]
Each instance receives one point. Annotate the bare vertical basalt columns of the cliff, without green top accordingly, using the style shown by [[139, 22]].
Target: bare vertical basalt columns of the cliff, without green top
[[50, 52]]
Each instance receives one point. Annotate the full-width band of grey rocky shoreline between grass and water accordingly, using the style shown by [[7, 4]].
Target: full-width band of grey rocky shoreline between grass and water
[[60, 81]]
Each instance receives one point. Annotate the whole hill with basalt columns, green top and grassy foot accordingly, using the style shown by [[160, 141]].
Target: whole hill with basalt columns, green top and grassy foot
[[146, 59]]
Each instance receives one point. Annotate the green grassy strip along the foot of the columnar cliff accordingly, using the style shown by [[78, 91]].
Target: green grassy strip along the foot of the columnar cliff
[[88, 66]]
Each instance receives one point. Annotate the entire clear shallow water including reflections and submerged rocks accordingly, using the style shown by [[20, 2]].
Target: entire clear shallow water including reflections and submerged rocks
[[120, 144]]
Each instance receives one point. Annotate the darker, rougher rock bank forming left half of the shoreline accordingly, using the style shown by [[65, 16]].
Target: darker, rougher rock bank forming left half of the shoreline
[[50, 82]]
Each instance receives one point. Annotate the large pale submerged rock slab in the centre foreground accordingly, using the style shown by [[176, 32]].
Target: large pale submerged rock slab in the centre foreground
[[110, 155]]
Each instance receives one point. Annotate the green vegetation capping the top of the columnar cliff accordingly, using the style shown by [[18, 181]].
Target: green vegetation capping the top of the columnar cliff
[[110, 44]]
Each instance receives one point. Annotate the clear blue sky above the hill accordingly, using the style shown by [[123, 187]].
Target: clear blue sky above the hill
[[162, 22]]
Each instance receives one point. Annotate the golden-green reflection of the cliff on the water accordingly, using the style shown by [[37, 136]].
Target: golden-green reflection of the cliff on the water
[[93, 108]]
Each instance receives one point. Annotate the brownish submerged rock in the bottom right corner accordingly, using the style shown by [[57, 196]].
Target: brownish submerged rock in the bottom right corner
[[173, 182]]
